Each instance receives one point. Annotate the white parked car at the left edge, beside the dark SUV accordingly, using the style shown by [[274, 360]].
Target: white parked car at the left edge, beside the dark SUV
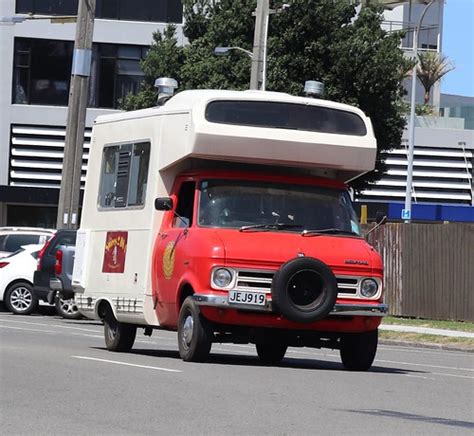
[[16, 279]]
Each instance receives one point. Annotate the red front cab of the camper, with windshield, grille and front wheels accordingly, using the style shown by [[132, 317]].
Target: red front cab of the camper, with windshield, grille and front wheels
[[272, 259]]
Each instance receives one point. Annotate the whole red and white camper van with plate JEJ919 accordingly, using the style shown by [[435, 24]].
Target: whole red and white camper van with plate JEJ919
[[225, 215]]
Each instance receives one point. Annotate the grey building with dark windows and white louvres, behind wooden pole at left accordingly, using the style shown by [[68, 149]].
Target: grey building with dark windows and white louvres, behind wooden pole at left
[[35, 73]]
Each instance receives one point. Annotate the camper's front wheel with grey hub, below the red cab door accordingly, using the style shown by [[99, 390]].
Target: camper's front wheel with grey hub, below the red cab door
[[194, 333]]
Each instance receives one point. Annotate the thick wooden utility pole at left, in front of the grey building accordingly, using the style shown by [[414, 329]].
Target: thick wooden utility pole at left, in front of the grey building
[[69, 194]]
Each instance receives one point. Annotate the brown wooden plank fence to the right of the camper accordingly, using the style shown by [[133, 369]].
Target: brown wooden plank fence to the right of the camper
[[429, 269]]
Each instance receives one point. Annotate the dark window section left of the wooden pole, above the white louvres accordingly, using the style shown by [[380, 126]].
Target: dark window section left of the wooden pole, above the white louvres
[[42, 71]]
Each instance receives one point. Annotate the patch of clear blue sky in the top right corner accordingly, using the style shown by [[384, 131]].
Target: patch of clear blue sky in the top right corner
[[458, 45]]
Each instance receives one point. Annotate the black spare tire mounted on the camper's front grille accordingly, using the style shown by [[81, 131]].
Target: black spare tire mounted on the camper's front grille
[[304, 290]]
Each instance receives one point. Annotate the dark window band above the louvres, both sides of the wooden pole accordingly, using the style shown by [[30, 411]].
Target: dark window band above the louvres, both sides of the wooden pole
[[42, 72]]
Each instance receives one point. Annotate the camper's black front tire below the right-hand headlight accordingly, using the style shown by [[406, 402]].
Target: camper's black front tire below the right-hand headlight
[[358, 350]]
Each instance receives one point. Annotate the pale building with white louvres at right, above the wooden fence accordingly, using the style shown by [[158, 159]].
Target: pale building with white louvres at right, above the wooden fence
[[444, 142]]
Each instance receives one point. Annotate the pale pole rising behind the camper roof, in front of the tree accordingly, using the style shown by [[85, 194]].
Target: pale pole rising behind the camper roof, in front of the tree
[[257, 80]]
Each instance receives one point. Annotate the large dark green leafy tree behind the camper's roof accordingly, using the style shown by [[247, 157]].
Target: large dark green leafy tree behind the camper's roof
[[324, 40]]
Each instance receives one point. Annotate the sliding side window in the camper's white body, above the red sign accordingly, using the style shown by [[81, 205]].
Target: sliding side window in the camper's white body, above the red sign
[[124, 175]]
